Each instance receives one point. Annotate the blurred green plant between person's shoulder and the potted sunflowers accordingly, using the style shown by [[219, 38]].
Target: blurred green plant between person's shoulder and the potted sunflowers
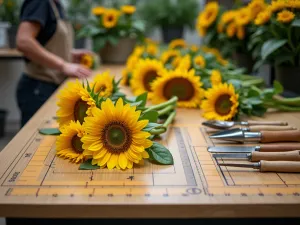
[[77, 11]]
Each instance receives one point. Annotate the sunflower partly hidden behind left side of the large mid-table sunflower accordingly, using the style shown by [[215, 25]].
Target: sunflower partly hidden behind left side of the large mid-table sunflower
[[146, 71]]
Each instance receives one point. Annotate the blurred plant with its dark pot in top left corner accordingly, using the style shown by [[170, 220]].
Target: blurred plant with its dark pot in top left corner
[[9, 12]]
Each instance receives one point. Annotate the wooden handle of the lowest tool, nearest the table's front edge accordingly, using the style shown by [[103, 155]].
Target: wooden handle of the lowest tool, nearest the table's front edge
[[279, 166]]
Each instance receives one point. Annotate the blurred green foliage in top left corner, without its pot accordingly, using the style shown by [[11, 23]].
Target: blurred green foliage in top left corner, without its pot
[[9, 11]]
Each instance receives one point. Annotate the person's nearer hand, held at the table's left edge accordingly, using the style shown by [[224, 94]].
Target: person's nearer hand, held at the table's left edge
[[75, 70]]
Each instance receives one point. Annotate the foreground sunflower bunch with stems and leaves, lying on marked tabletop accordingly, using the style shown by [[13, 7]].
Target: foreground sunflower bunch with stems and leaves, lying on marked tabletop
[[100, 127]]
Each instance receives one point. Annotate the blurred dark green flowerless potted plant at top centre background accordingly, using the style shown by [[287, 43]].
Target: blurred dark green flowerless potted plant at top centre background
[[172, 16]]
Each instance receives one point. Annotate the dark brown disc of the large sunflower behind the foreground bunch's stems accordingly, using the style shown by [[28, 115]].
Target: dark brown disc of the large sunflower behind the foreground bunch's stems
[[179, 87]]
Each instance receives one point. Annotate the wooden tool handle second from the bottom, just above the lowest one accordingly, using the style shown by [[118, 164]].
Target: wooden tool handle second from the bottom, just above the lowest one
[[276, 156]]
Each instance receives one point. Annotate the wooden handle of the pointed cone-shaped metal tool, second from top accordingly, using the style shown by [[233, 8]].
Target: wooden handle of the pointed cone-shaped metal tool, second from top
[[280, 136]]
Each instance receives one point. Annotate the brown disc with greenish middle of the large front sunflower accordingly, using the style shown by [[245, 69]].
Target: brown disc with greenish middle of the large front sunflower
[[117, 137]]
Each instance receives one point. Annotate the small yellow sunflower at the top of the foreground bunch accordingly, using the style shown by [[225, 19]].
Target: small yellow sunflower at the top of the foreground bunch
[[103, 84]]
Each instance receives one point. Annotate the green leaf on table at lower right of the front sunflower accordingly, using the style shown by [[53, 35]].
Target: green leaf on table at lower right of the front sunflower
[[160, 154]]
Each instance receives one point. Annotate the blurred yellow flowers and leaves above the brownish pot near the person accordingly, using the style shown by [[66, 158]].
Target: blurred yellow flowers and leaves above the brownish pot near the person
[[109, 25]]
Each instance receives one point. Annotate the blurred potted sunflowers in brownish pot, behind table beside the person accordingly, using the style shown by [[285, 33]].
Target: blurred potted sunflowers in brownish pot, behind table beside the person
[[114, 32]]
